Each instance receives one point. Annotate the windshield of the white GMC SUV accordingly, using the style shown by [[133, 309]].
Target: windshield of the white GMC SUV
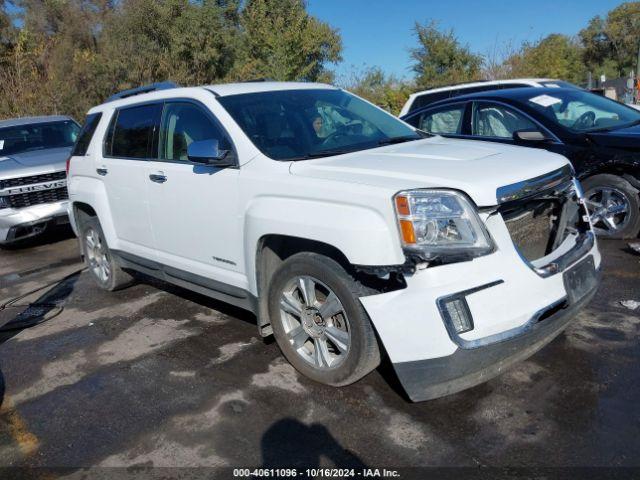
[[301, 124]]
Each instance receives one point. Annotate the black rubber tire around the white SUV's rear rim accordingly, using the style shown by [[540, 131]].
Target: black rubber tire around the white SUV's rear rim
[[116, 278]]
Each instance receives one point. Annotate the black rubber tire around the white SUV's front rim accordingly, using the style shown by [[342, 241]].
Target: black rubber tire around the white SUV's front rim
[[363, 354]]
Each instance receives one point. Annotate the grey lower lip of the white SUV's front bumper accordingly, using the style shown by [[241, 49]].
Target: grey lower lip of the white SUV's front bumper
[[465, 368]]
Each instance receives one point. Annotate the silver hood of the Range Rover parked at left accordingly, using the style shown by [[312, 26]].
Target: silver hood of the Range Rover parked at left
[[34, 162]]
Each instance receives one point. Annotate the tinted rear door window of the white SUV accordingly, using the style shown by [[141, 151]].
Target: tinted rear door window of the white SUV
[[134, 130]]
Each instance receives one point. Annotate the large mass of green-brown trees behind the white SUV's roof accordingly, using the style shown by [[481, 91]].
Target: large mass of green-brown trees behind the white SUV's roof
[[69, 55]]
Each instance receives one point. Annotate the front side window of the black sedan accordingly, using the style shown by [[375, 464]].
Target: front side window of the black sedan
[[498, 121]]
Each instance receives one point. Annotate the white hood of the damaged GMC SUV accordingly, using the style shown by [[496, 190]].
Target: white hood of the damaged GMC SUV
[[476, 168]]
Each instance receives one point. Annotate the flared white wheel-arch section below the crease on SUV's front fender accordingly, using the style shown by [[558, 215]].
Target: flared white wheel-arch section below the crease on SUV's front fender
[[361, 233]]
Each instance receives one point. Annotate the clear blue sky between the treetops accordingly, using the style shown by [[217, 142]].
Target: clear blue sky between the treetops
[[378, 32]]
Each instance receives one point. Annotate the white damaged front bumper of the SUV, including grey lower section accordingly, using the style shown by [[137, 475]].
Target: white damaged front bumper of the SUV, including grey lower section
[[515, 308]]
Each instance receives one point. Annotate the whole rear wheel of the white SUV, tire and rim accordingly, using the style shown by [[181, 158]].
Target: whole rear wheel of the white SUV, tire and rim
[[102, 266]]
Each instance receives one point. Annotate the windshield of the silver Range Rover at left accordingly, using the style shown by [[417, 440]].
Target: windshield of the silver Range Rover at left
[[37, 136]]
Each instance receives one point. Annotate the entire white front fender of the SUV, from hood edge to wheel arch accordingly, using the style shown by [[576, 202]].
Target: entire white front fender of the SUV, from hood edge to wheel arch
[[364, 231]]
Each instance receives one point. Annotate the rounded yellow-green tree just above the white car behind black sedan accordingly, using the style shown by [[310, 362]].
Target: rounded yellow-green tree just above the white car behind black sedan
[[555, 56]]
